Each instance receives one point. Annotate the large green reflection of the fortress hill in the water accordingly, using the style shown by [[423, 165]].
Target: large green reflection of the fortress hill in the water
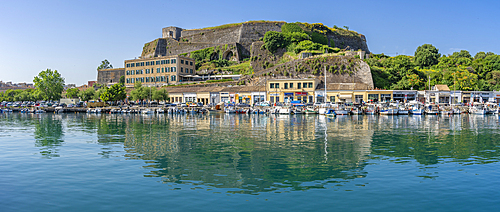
[[249, 153]]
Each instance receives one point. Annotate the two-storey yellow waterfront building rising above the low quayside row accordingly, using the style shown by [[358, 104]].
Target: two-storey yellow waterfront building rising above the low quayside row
[[287, 90]]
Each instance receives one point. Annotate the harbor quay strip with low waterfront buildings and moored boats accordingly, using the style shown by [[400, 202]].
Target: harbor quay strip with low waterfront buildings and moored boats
[[298, 96]]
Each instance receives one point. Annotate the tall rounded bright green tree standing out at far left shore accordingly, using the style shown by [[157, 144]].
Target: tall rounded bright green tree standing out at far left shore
[[50, 84]]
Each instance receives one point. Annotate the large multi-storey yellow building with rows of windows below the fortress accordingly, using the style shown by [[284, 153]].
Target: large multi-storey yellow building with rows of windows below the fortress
[[159, 71]]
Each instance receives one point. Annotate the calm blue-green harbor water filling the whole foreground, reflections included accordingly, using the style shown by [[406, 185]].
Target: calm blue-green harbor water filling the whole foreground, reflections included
[[222, 162]]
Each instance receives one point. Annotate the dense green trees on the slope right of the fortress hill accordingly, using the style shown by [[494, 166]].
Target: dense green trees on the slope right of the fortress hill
[[459, 70]]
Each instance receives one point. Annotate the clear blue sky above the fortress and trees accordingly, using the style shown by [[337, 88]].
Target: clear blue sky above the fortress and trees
[[73, 37]]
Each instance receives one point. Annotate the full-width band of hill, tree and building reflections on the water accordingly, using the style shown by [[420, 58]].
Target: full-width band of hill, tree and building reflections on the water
[[275, 153]]
